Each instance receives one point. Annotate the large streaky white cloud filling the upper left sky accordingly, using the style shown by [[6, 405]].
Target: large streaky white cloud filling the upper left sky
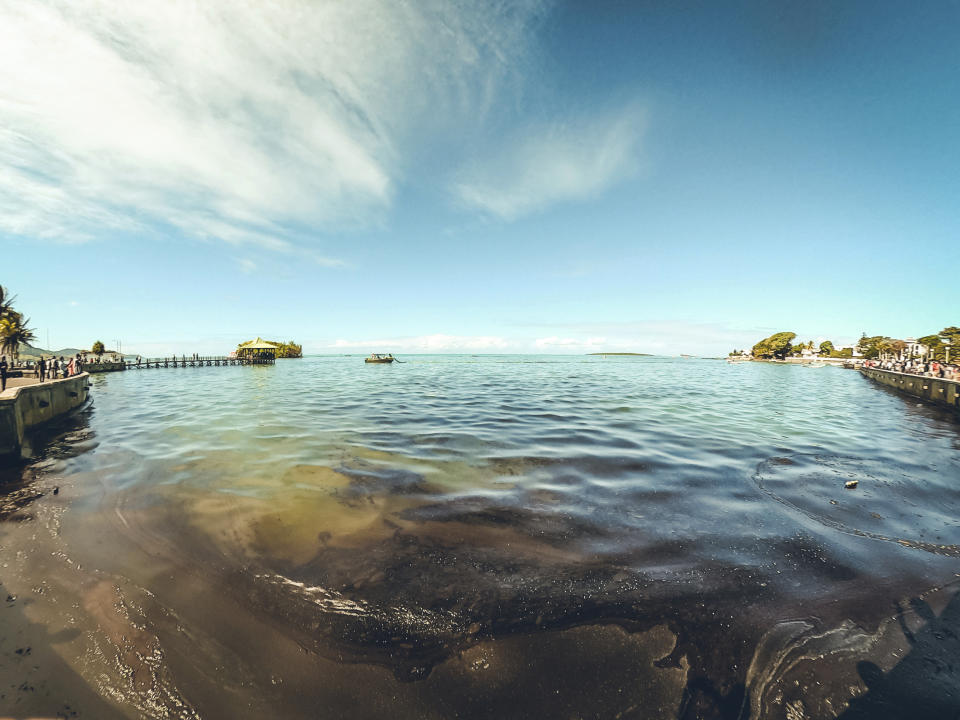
[[235, 120]]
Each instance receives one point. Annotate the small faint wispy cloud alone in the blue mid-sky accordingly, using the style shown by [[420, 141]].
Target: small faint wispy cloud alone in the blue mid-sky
[[555, 162]]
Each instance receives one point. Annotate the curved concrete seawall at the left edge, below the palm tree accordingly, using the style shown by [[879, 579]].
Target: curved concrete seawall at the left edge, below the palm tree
[[24, 408]]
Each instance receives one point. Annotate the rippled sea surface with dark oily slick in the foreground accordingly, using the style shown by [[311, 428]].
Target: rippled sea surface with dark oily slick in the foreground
[[482, 536]]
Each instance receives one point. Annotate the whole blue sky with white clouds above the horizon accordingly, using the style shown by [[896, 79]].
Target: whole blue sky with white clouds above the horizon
[[482, 177]]
